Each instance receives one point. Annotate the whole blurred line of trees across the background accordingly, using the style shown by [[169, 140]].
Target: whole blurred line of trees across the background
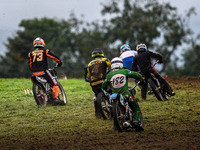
[[158, 25]]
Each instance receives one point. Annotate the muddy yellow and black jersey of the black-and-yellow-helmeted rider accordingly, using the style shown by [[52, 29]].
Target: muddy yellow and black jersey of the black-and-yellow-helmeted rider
[[96, 70]]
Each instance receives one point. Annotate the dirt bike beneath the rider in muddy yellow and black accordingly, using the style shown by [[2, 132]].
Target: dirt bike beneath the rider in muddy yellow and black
[[104, 104]]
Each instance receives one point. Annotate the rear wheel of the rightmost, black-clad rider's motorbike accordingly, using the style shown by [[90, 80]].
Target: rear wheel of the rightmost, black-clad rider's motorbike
[[156, 90]]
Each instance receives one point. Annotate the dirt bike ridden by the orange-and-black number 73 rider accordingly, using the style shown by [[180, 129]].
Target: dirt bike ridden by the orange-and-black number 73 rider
[[42, 91]]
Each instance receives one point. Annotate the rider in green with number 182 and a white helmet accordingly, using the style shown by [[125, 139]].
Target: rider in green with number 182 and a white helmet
[[117, 78]]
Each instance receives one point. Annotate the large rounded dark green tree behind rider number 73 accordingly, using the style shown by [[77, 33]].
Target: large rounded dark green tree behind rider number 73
[[15, 63]]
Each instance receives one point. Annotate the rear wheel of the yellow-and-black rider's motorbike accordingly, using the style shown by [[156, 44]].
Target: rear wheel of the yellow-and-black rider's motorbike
[[104, 106]]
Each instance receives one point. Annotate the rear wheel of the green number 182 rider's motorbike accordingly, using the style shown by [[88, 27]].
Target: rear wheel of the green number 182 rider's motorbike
[[118, 115]]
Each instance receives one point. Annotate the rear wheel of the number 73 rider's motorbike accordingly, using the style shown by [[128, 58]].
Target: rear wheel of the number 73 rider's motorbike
[[39, 95]]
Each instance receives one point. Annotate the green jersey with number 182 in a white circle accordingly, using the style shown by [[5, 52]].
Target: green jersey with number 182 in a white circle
[[119, 80]]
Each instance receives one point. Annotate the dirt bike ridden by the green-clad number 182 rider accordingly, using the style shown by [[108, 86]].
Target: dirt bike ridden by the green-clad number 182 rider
[[122, 113]]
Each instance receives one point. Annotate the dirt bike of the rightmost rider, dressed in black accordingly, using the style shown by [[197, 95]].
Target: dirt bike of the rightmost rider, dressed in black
[[155, 87]]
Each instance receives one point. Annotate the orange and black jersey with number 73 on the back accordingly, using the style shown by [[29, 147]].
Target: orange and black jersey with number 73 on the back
[[38, 59]]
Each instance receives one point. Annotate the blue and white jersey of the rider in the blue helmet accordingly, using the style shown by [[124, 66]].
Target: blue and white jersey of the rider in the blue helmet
[[127, 58]]
